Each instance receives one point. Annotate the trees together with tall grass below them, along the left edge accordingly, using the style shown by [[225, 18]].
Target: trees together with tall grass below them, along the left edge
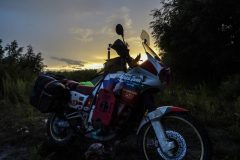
[[18, 71]]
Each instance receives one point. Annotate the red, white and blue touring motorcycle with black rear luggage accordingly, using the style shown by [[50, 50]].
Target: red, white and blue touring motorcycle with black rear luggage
[[121, 101]]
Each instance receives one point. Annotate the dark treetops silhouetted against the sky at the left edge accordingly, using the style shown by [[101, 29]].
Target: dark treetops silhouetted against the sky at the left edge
[[16, 64]]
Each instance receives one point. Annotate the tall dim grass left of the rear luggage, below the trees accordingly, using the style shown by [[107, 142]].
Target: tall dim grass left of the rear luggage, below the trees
[[15, 108]]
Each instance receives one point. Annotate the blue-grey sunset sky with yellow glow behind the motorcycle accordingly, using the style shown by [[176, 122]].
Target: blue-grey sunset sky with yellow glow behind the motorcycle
[[73, 34]]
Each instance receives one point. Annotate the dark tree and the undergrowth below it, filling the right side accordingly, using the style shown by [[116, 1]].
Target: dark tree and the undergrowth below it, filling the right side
[[200, 43]]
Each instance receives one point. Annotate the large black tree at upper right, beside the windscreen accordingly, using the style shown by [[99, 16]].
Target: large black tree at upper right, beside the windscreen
[[200, 38]]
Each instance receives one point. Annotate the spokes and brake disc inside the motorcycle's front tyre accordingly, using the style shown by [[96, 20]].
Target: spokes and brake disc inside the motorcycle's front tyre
[[181, 129]]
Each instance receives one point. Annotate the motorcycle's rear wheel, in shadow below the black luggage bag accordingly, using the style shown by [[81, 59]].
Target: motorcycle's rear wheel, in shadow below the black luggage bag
[[59, 130]]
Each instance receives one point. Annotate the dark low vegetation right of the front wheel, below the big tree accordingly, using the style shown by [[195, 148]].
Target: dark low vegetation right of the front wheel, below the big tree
[[217, 108]]
